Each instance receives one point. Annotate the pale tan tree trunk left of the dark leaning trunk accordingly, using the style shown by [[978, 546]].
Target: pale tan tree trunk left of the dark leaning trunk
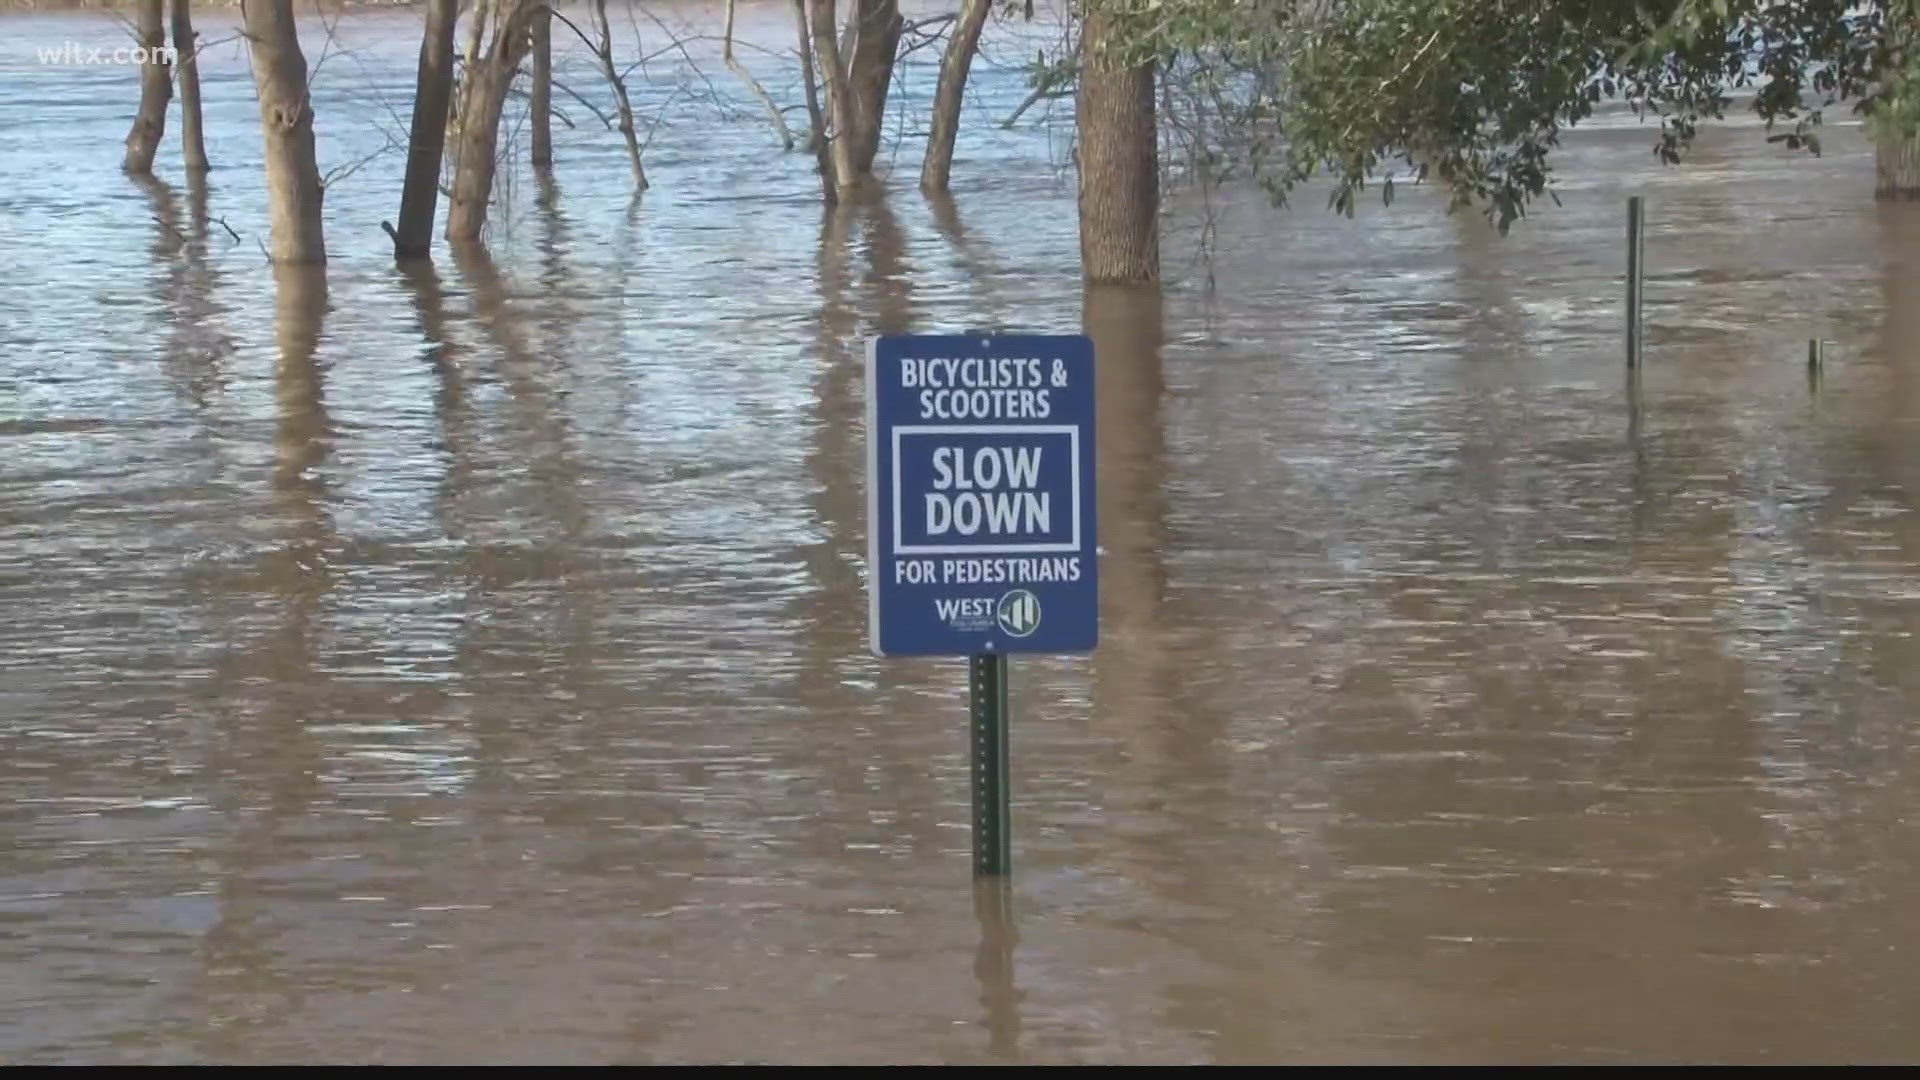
[[287, 124]]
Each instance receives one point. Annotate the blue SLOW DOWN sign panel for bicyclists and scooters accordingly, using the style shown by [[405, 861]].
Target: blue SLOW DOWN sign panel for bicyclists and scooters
[[982, 495]]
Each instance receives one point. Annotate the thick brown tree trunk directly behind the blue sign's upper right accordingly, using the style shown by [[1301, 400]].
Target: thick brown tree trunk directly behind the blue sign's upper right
[[1118, 160]]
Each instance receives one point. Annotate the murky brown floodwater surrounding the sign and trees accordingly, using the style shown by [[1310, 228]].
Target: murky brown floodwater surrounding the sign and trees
[[471, 666]]
